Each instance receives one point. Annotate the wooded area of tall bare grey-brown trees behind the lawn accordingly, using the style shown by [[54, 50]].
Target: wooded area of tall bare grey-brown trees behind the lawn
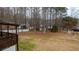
[[36, 18]]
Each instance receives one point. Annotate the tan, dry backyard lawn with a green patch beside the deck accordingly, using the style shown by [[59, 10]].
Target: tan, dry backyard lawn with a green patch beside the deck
[[39, 41]]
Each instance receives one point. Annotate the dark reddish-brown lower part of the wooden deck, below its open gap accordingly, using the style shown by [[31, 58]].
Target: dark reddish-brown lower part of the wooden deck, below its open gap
[[7, 40]]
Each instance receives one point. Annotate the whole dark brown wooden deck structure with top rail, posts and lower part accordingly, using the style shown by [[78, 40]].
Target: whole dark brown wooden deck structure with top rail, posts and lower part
[[8, 39]]
